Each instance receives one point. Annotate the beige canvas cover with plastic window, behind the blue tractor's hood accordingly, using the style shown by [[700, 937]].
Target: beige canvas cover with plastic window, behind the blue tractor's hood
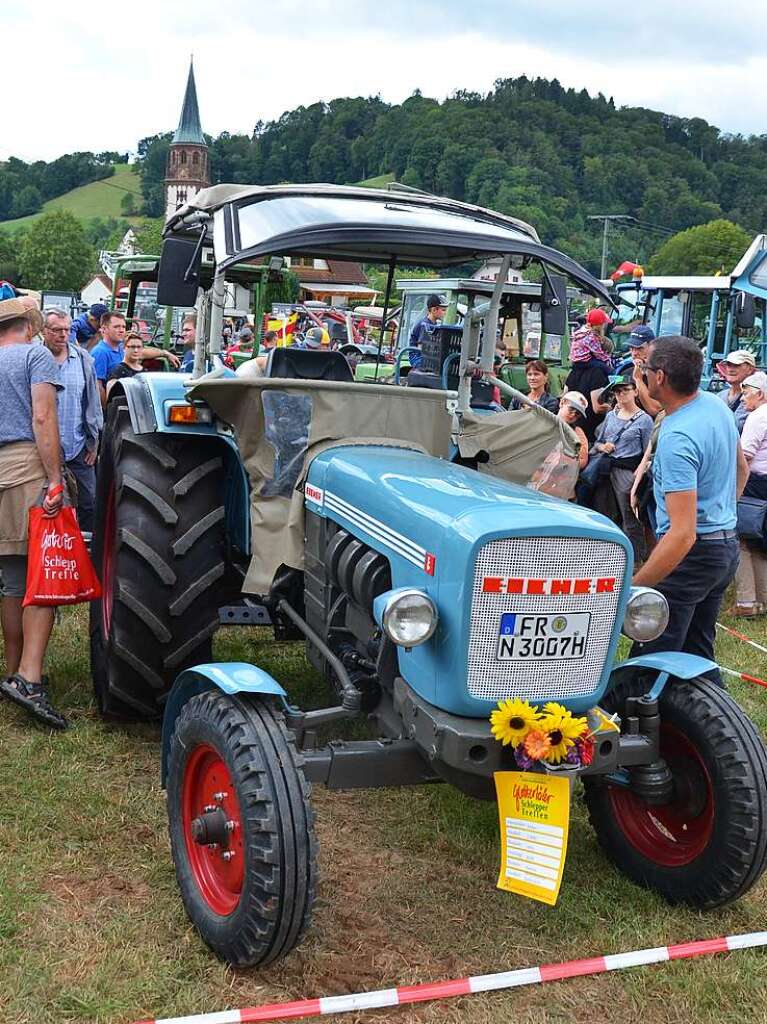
[[282, 425]]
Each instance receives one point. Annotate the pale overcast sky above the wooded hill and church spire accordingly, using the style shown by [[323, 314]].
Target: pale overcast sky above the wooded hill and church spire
[[90, 75]]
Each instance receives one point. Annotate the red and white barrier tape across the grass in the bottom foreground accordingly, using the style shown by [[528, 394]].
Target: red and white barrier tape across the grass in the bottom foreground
[[470, 987]]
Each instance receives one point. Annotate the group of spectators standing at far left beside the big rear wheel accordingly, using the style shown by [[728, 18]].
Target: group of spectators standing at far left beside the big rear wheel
[[56, 373]]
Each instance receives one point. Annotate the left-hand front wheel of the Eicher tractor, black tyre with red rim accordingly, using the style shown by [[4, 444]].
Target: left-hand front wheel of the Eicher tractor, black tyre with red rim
[[242, 829]]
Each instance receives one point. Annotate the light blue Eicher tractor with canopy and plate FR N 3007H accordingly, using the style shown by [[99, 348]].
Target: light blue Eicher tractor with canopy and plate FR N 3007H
[[382, 526]]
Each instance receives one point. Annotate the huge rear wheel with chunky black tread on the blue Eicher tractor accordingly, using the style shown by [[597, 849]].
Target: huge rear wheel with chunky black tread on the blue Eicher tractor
[[159, 547]]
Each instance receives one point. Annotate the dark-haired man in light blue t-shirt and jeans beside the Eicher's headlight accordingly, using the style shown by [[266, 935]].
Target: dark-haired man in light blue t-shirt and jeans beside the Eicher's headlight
[[699, 474]]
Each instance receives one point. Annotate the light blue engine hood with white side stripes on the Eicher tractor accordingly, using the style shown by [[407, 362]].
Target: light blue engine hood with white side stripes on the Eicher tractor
[[433, 519]]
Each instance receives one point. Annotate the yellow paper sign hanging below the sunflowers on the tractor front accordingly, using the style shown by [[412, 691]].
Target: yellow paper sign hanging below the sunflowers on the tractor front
[[534, 813]]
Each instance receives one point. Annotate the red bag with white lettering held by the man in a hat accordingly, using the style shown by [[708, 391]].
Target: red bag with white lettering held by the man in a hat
[[59, 568]]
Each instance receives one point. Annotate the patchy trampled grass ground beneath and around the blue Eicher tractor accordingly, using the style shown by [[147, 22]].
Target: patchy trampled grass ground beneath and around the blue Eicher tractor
[[93, 930]]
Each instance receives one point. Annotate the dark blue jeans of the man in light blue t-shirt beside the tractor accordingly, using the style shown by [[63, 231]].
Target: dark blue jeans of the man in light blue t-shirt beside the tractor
[[695, 591]]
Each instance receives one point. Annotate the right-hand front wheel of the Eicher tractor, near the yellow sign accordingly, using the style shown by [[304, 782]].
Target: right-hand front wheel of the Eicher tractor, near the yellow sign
[[708, 846]]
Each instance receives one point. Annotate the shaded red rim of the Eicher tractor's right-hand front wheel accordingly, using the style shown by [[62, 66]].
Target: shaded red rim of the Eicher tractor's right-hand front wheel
[[675, 834]]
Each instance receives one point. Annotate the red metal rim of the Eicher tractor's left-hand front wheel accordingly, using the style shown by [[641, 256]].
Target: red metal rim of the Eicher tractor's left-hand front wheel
[[207, 784]]
